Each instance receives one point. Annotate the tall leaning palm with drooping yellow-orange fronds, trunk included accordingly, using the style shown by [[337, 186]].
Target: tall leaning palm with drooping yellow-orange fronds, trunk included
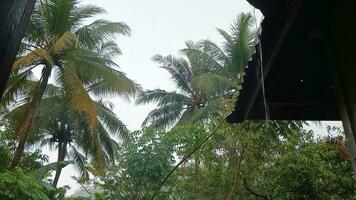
[[78, 56]]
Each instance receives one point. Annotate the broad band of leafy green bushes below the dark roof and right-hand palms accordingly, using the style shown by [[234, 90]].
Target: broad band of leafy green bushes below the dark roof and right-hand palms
[[256, 160]]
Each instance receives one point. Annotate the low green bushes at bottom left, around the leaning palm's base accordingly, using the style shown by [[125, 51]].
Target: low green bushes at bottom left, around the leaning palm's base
[[23, 182]]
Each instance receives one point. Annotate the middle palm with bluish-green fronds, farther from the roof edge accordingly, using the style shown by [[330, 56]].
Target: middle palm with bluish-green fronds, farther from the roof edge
[[190, 102]]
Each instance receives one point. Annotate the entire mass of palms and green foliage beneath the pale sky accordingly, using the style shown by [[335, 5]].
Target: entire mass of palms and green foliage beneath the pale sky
[[185, 149]]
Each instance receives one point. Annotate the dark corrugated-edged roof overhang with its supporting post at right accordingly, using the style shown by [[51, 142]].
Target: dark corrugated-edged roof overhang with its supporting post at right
[[307, 52]]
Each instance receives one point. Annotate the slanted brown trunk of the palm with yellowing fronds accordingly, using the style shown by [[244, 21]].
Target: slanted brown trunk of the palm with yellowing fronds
[[24, 127]]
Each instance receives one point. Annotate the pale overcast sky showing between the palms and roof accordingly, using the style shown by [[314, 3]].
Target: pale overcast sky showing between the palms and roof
[[158, 27]]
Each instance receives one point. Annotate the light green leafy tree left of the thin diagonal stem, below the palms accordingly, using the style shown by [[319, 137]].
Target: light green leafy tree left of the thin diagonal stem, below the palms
[[144, 159]]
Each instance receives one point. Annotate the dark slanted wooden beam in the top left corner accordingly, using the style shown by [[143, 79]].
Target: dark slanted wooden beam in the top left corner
[[14, 16]]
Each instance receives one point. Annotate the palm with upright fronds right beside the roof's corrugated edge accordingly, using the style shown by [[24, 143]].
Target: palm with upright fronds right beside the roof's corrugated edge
[[225, 66]]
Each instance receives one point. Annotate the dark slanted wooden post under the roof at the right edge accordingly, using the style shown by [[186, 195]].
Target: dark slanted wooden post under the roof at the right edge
[[342, 51]]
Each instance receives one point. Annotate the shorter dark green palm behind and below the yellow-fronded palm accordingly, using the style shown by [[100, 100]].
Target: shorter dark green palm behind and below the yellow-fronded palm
[[66, 130]]
